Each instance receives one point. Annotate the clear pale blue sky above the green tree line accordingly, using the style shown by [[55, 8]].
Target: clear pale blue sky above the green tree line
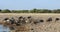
[[29, 4]]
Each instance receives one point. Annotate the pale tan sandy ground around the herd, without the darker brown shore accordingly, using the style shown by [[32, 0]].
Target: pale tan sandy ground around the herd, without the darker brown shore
[[40, 27]]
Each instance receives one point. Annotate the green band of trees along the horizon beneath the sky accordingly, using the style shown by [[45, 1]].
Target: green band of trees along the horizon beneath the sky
[[30, 11]]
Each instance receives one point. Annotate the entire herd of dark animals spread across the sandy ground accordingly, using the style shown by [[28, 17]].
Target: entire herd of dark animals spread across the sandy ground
[[25, 20]]
